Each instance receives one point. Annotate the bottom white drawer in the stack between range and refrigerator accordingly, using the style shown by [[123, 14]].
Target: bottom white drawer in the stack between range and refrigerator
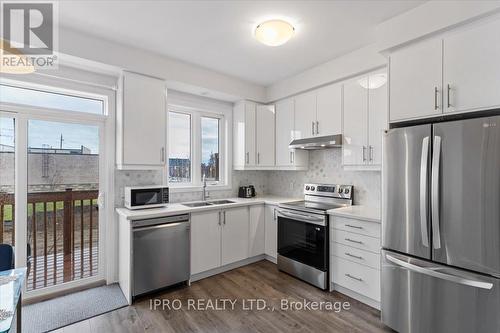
[[358, 278]]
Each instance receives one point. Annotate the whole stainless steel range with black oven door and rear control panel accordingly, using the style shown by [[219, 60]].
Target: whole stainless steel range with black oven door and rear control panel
[[303, 231]]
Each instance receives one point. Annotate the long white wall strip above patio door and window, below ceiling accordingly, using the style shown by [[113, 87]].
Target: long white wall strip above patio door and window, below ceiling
[[107, 52]]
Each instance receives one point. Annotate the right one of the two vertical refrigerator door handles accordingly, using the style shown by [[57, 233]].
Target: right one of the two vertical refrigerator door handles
[[436, 160]]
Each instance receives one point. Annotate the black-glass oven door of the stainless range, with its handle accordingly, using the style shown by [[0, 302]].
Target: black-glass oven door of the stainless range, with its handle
[[303, 237]]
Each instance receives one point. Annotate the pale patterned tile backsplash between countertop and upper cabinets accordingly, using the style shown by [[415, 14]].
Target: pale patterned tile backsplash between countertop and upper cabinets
[[324, 167]]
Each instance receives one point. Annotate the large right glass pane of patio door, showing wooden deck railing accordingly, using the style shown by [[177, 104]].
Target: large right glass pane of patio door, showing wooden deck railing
[[62, 212]]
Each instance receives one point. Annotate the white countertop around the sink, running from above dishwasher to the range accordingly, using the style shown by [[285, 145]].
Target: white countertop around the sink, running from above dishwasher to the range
[[178, 208]]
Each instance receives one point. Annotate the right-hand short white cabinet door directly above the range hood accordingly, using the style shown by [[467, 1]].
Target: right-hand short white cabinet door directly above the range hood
[[329, 110]]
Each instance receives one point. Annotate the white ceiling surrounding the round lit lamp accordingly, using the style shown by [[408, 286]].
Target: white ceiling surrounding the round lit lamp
[[218, 34]]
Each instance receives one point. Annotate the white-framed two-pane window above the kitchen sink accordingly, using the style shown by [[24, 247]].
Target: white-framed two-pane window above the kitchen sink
[[197, 144]]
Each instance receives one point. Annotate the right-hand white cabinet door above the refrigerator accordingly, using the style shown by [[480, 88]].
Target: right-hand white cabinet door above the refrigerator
[[472, 69]]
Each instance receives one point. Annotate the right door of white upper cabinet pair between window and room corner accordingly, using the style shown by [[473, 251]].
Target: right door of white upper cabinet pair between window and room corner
[[265, 135]]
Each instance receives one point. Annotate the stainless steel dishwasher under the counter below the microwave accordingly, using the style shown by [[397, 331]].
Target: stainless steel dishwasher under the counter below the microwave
[[161, 255]]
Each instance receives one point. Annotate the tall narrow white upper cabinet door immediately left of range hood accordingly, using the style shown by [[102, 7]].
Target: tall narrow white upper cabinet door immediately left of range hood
[[284, 131]]
